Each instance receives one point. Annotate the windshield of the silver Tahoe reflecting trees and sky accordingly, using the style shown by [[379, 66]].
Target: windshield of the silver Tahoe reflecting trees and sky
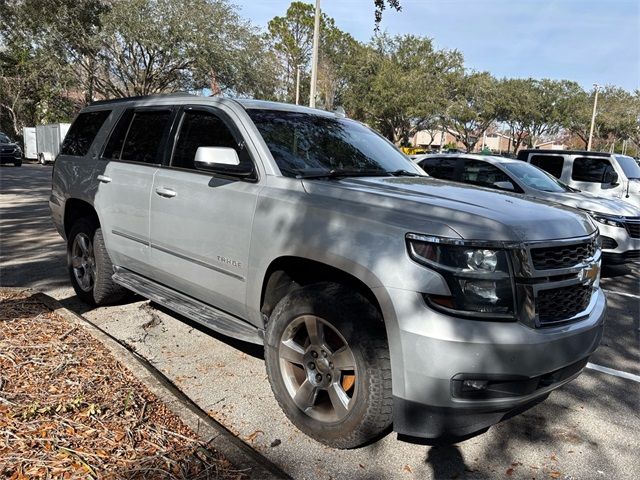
[[304, 144]]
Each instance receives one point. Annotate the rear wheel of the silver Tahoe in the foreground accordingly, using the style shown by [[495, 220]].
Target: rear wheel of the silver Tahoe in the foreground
[[89, 265]]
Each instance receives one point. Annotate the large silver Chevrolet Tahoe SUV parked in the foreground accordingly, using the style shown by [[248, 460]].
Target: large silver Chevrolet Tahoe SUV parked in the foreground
[[381, 296]]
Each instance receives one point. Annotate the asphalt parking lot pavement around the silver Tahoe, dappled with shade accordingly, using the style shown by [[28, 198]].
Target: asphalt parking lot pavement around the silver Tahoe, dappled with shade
[[587, 429]]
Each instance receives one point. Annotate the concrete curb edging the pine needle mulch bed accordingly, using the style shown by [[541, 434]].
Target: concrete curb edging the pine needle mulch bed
[[241, 455]]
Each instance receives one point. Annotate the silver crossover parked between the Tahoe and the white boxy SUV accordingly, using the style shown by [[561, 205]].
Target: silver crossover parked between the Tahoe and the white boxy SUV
[[618, 221]]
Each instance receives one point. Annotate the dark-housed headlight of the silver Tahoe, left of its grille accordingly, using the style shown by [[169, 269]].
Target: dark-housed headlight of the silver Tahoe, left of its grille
[[478, 276]]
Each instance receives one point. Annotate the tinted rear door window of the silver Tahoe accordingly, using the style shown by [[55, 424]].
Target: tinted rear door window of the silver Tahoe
[[138, 136]]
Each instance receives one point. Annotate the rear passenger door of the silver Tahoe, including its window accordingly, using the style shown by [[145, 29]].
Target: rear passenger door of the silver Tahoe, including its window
[[129, 161]]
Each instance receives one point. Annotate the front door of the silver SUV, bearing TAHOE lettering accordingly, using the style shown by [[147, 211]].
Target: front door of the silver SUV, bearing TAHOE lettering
[[200, 222]]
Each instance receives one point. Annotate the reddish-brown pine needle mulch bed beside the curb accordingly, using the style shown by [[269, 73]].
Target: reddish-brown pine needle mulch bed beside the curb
[[68, 409]]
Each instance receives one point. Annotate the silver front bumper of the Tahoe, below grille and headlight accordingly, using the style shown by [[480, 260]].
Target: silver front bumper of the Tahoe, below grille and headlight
[[429, 349]]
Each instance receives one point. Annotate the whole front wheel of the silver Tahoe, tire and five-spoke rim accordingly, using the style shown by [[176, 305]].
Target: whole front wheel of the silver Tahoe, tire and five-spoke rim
[[328, 363]]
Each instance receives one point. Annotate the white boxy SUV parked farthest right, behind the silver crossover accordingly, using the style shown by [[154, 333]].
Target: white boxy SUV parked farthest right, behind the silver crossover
[[603, 174]]
